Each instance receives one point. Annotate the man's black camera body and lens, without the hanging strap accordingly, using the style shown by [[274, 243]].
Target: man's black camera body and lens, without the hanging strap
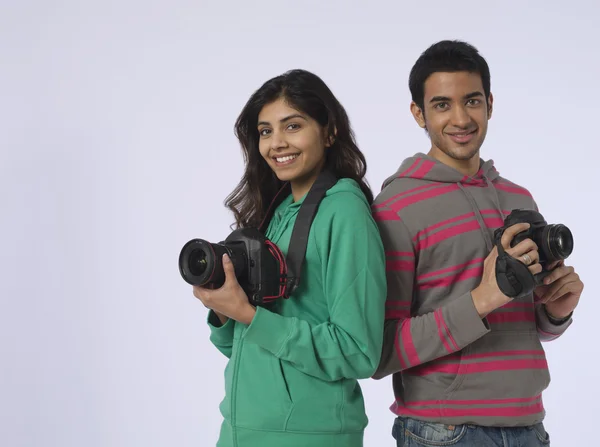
[[554, 241]]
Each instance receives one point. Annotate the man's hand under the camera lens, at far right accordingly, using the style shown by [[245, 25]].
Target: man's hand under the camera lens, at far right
[[561, 290]]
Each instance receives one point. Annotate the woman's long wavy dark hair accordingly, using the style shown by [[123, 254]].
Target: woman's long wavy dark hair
[[307, 93]]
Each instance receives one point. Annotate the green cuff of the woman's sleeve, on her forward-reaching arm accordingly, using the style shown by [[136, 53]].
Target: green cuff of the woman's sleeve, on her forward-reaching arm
[[270, 330]]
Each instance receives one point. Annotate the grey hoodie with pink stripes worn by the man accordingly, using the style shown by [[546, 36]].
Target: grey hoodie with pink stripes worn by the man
[[449, 365]]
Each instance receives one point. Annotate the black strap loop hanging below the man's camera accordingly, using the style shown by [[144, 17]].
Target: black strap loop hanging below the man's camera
[[513, 277]]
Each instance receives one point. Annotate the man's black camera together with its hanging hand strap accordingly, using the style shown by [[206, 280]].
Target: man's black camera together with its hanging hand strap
[[554, 242]]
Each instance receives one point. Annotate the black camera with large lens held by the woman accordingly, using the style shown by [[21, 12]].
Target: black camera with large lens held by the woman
[[258, 263]]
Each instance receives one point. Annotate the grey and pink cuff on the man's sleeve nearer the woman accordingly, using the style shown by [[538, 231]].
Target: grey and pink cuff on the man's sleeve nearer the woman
[[464, 323]]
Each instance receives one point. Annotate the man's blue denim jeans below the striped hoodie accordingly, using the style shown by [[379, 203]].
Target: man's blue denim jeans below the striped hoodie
[[412, 433]]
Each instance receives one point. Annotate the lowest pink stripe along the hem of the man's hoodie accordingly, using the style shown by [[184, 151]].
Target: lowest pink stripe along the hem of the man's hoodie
[[535, 408]]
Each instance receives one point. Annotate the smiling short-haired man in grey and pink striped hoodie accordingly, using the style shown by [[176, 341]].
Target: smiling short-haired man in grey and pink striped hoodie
[[467, 363]]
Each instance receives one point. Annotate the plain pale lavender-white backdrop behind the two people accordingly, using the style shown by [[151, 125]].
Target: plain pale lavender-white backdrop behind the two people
[[117, 146]]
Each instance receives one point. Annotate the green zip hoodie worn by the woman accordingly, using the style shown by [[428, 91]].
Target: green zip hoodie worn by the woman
[[292, 375]]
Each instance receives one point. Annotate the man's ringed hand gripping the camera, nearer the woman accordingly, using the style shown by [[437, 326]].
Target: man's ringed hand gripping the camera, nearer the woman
[[487, 297]]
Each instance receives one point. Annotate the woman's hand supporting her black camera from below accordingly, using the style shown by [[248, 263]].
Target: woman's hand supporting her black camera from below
[[230, 300]]
